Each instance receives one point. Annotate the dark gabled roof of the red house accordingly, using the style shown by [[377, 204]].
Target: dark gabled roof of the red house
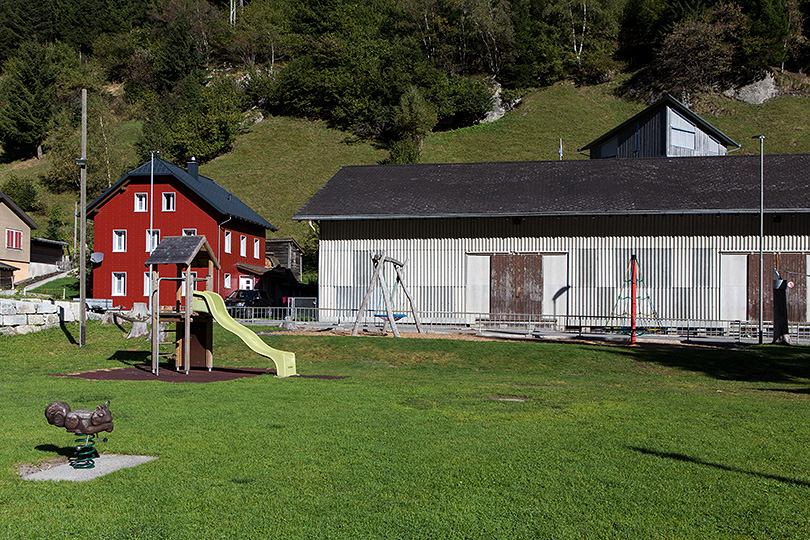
[[218, 197]]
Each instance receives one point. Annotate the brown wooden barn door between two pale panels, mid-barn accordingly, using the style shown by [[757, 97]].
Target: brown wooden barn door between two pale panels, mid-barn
[[516, 283]]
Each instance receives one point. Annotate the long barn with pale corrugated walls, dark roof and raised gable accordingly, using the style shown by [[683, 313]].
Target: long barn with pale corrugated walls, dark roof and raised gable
[[555, 238]]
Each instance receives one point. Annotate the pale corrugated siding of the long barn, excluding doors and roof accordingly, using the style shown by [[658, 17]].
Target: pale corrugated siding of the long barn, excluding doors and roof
[[679, 257]]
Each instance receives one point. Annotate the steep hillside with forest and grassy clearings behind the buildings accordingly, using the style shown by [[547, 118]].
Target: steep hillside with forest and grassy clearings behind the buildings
[[340, 81]]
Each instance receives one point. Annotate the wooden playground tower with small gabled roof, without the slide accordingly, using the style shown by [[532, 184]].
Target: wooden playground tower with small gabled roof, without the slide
[[193, 344]]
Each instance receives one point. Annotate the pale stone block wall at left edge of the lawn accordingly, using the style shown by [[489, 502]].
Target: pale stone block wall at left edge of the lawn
[[32, 315]]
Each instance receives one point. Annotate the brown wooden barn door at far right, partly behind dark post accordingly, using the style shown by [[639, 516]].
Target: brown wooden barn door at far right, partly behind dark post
[[796, 297]]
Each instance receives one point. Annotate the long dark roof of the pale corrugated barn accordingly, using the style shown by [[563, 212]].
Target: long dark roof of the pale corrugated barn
[[598, 186]]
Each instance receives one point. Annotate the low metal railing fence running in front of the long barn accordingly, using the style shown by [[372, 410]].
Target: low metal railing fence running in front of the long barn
[[527, 325]]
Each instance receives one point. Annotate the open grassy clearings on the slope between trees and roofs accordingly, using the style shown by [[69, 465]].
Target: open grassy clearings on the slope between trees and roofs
[[280, 163]]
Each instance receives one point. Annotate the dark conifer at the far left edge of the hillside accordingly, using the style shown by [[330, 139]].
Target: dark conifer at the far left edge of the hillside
[[27, 93]]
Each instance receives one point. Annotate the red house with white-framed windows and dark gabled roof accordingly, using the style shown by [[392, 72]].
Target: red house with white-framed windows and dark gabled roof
[[180, 202]]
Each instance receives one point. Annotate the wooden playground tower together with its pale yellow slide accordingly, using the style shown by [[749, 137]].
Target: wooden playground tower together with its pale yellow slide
[[193, 312]]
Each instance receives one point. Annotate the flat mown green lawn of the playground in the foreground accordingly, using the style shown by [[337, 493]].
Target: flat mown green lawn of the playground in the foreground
[[611, 442]]
